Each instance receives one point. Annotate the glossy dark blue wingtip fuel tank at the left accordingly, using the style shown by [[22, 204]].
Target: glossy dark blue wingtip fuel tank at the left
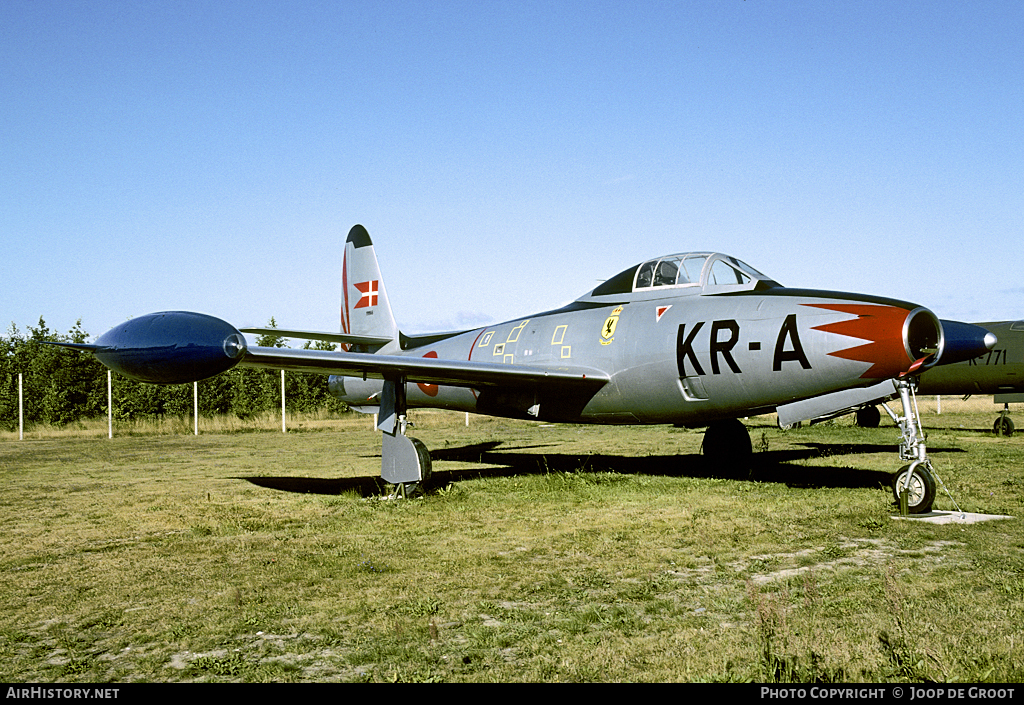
[[172, 348]]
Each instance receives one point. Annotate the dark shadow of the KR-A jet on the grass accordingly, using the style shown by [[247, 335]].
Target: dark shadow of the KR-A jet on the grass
[[769, 467]]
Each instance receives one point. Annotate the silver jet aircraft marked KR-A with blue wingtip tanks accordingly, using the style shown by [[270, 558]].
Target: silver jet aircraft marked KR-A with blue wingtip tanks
[[697, 340]]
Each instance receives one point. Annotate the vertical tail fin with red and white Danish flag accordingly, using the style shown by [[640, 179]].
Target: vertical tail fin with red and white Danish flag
[[365, 306]]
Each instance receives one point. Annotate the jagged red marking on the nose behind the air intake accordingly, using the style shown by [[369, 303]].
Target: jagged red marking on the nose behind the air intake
[[881, 325]]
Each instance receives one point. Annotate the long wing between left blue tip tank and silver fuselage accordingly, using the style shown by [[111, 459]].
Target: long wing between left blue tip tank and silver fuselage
[[422, 370]]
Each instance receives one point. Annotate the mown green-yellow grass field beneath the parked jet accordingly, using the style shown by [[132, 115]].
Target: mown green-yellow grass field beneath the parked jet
[[542, 554]]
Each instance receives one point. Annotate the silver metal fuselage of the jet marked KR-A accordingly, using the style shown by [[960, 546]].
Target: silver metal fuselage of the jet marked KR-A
[[684, 356]]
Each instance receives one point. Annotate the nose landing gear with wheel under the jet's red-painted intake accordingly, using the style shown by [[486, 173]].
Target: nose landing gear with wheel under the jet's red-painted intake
[[918, 479]]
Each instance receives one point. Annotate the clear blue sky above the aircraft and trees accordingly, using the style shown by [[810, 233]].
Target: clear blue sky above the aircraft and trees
[[504, 156]]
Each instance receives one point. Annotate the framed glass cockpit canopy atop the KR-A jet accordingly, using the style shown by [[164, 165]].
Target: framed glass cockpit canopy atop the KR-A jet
[[699, 272]]
